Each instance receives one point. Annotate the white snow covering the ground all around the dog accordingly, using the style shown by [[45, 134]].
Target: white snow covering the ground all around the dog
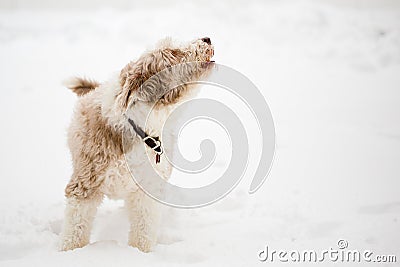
[[330, 71]]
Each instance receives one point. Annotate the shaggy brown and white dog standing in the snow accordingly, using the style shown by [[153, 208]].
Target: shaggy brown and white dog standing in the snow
[[100, 134]]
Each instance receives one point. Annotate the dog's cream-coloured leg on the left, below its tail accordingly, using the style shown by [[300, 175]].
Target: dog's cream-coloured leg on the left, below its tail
[[79, 216]]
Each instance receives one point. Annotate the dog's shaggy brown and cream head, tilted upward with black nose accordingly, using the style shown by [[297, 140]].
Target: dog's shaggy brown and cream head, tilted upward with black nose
[[163, 75]]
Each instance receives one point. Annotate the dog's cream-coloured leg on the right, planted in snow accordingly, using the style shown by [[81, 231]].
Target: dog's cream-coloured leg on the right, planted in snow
[[144, 217]]
